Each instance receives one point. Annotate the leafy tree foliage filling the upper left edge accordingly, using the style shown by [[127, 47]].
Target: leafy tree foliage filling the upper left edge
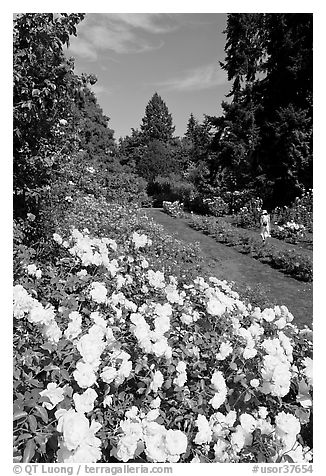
[[44, 89]]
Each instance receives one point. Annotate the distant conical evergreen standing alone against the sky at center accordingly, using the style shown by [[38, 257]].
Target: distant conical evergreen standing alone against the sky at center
[[157, 122]]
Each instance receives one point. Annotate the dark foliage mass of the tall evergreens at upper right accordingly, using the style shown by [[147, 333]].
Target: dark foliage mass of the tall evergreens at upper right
[[263, 140]]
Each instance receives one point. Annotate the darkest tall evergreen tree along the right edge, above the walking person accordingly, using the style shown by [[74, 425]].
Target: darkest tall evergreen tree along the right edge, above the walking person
[[286, 126]]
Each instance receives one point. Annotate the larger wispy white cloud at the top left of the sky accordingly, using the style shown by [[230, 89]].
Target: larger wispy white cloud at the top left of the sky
[[120, 32]]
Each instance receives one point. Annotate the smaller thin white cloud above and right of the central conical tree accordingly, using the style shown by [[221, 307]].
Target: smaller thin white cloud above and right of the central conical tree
[[202, 77]]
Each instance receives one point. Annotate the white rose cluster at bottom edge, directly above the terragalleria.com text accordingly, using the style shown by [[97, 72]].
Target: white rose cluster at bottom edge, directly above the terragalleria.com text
[[140, 432]]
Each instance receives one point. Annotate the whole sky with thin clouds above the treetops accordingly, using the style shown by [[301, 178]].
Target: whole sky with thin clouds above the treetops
[[135, 54]]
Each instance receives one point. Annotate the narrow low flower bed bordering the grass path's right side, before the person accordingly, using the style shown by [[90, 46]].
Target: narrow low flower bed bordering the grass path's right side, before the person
[[298, 265]]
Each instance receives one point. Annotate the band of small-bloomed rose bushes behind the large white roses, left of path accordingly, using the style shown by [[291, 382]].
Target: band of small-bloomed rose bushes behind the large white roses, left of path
[[102, 219]]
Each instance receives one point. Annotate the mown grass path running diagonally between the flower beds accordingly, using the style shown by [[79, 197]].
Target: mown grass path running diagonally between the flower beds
[[225, 262]]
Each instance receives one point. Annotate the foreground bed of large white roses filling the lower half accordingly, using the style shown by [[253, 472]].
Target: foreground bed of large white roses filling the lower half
[[115, 361]]
